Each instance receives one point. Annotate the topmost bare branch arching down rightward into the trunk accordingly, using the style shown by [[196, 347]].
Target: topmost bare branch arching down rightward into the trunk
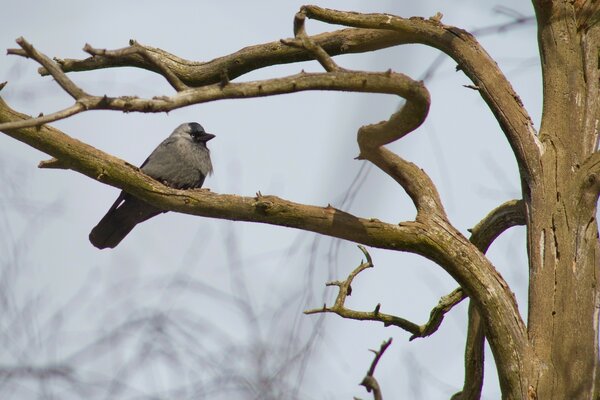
[[493, 86]]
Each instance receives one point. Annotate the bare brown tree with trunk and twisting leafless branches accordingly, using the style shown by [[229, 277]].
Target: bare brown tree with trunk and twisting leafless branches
[[556, 352]]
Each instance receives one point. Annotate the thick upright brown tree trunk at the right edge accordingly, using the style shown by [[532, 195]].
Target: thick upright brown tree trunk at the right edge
[[562, 230]]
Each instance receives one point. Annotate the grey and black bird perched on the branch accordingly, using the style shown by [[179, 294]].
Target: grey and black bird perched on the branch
[[181, 161]]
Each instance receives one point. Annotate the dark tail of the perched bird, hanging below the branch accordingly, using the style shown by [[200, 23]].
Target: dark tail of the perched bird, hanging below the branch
[[120, 220]]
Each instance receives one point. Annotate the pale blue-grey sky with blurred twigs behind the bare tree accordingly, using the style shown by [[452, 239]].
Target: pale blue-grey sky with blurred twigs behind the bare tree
[[187, 307]]
